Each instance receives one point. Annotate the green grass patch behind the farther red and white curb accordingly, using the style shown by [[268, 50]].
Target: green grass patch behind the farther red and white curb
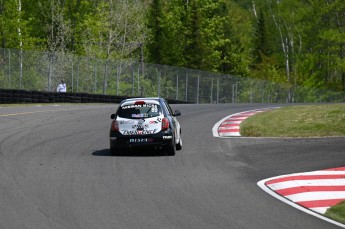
[[297, 121]]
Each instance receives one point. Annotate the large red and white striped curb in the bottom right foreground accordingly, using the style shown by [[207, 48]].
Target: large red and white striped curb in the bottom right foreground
[[311, 192]]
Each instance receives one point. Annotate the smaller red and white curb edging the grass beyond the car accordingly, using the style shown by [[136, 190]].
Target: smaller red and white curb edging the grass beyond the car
[[230, 125]]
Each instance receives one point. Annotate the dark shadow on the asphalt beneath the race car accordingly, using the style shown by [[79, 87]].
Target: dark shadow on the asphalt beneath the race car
[[131, 153]]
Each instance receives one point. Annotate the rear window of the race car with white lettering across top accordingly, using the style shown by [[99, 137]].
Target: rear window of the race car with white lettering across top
[[137, 111]]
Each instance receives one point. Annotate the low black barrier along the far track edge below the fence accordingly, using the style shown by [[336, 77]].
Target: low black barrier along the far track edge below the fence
[[10, 96]]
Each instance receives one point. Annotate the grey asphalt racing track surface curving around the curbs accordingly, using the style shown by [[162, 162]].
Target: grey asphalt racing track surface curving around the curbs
[[56, 172]]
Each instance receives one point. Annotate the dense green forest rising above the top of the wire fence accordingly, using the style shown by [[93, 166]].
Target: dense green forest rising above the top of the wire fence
[[291, 42]]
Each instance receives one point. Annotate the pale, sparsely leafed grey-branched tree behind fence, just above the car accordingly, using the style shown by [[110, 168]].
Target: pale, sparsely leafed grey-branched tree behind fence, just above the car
[[114, 32]]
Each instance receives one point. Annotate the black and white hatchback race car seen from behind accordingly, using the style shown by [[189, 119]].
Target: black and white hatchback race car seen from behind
[[145, 122]]
